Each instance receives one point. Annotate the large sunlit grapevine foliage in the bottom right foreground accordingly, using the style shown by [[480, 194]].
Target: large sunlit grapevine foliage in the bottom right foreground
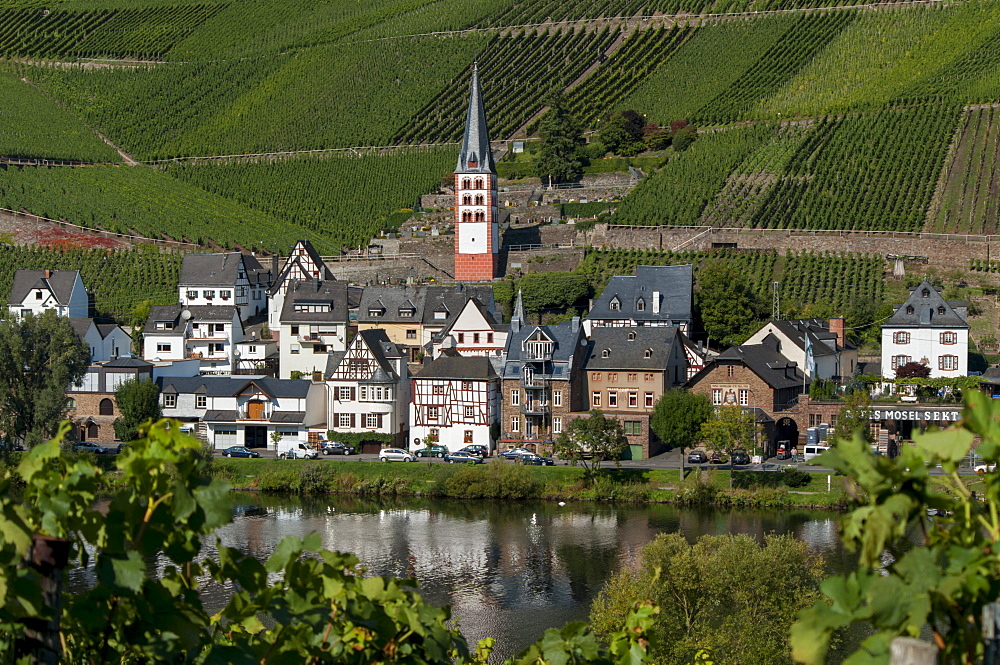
[[941, 586]]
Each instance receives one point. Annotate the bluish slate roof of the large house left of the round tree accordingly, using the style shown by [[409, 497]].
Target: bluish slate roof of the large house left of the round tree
[[672, 283]]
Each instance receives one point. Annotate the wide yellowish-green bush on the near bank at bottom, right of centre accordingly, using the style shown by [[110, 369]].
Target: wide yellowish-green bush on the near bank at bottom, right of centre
[[711, 596]]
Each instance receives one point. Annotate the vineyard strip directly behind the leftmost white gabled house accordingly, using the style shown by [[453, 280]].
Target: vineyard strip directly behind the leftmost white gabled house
[[120, 280]]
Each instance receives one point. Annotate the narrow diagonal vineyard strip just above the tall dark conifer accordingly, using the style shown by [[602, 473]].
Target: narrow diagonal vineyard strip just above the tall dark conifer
[[639, 56]]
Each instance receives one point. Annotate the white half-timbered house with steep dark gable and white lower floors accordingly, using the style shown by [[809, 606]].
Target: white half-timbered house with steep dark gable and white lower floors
[[369, 388]]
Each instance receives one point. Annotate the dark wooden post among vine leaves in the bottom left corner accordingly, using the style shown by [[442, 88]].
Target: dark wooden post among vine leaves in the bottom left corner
[[40, 642]]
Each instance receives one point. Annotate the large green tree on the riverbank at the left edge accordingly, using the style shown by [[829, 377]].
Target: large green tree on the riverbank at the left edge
[[40, 357]]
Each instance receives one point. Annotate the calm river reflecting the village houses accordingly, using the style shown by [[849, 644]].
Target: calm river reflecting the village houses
[[508, 569]]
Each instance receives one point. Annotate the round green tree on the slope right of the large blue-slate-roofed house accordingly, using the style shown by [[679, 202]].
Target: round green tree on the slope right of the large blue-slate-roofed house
[[730, 310]]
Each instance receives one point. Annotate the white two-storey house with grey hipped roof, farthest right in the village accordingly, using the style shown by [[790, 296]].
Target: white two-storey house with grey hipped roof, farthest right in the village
[[930, 330]]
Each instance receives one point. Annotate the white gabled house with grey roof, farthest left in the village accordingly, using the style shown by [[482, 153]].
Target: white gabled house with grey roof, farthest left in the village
[[36, 291]]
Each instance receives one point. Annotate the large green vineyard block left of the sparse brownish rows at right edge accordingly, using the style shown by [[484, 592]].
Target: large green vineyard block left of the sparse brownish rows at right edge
[[873, 171]]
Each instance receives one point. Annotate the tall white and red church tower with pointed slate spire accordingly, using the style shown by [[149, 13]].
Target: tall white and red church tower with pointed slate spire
[[477, 236]]
